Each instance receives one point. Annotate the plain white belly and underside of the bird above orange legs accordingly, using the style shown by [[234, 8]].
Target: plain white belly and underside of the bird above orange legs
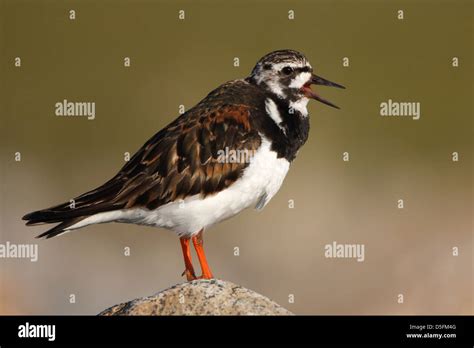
[[262, 178]]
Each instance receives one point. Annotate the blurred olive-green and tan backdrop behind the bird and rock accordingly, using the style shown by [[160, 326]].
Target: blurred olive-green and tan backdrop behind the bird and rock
[[407, 251]]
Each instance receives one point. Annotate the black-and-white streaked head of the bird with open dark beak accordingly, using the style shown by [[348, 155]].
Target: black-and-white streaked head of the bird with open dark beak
[[289, 75]]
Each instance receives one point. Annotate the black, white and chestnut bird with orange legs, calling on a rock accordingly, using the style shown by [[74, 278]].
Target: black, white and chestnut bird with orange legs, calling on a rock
[[192, 175]]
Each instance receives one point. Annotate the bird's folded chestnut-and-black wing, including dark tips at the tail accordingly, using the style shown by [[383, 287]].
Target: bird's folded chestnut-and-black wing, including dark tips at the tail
[[180, 160]]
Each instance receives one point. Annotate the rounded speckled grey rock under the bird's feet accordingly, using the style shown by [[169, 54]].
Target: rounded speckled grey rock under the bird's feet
[[201, 297]]
